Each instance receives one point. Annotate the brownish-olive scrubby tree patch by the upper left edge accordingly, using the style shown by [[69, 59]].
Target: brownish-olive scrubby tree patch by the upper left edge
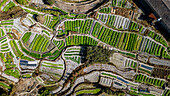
[[12, 13]]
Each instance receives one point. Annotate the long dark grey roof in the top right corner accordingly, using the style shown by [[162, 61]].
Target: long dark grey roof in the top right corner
[[162, 10]]
